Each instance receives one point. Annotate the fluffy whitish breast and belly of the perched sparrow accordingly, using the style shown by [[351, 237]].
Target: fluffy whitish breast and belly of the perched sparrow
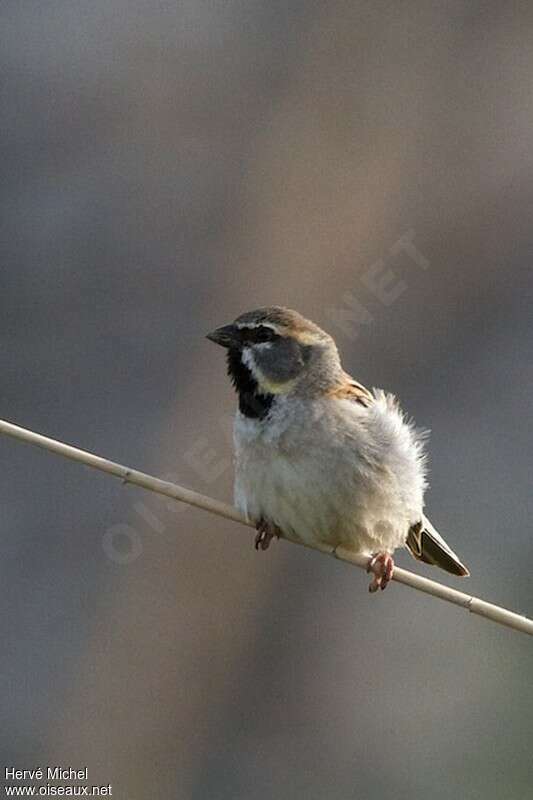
[[350, 475]]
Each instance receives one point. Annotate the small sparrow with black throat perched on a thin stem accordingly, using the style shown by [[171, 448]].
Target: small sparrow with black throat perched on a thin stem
[[319, 458]]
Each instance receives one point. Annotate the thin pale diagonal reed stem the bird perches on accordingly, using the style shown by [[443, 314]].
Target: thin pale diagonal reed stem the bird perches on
[[473, 604]]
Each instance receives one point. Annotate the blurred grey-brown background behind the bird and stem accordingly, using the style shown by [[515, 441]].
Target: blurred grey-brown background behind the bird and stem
[[166, 166]]
